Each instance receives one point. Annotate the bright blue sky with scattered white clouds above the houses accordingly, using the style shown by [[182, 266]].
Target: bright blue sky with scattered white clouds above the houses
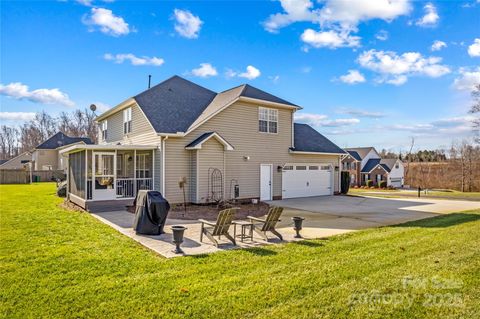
[[366, 72]]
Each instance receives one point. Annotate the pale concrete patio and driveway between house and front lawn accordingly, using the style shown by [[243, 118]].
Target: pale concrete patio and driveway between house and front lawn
[[324, 216]]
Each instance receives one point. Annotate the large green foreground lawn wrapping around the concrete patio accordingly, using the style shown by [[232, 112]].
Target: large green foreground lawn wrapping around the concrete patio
[[57, 263]]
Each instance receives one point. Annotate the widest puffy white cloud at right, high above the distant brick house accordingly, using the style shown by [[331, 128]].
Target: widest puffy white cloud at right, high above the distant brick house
[[395, 69]]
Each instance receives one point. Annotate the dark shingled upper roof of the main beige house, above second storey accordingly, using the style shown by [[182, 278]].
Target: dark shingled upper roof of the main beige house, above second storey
[[177, 105]]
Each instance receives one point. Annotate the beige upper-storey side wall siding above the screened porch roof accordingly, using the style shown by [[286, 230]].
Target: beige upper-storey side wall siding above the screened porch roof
[[142, 131]]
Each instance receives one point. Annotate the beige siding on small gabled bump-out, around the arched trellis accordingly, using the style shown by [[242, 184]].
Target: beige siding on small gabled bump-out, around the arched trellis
[[209, 157]]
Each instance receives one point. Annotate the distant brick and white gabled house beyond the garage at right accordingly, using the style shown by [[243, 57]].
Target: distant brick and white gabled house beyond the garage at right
[[364, 163]]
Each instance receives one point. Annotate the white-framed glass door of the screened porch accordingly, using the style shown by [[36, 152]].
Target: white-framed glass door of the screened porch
[[104, 168]]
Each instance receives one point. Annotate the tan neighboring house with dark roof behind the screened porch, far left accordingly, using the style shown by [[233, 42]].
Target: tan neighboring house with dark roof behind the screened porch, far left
[[46, 156]]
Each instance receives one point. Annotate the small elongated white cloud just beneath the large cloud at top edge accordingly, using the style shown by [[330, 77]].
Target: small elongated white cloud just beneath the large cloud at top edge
[[330, 39]]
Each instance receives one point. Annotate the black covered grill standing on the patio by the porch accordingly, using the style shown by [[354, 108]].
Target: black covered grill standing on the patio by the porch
[[151, 210]]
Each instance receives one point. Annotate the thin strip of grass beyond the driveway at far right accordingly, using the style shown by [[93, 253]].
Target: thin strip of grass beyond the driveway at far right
[[402, 193]]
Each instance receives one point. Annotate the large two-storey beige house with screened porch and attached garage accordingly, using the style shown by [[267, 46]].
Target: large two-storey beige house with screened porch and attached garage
[[191, 143]]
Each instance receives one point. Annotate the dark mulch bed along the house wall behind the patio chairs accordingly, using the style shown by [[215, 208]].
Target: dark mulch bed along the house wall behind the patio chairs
[[210, 212]]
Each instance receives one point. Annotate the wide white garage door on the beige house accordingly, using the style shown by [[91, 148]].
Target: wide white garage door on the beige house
[[303, 180]]
